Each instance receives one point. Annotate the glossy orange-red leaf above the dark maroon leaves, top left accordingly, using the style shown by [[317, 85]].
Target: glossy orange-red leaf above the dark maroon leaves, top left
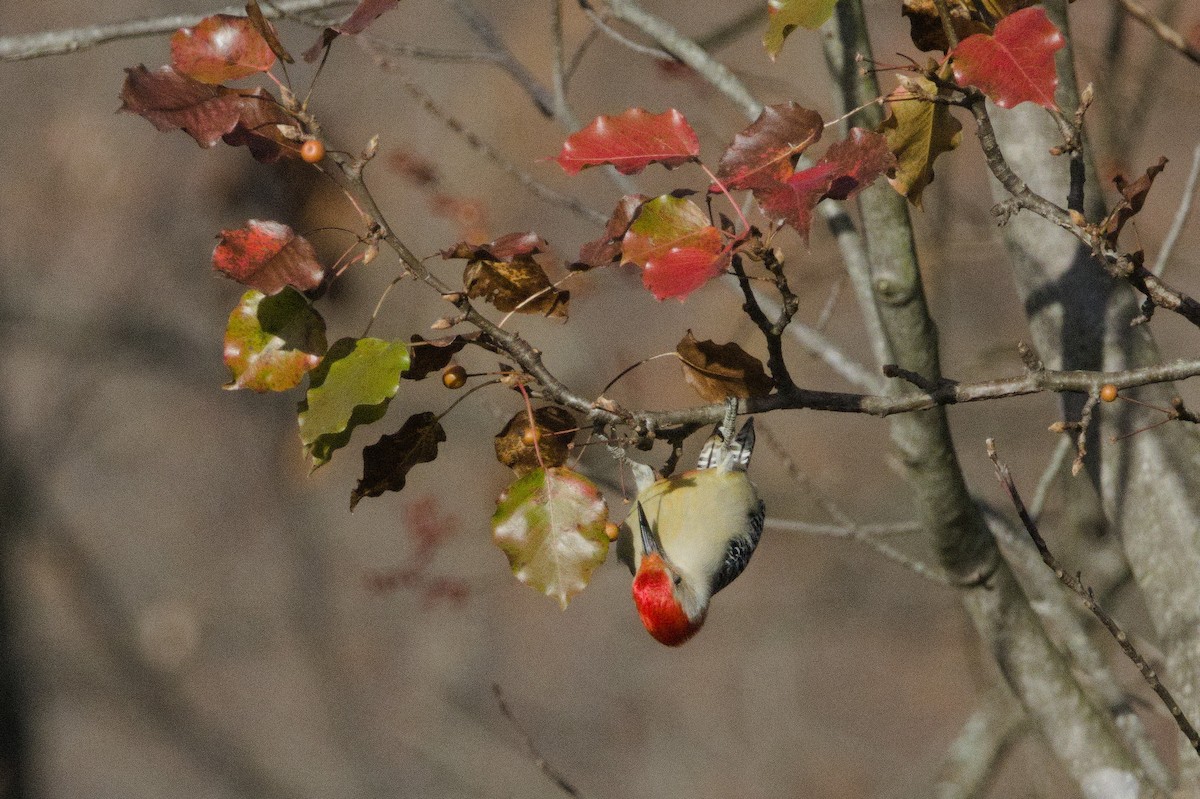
[[221, 49]]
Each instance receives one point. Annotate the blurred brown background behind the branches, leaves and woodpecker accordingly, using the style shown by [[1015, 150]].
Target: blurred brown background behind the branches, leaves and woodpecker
[[188, 612]]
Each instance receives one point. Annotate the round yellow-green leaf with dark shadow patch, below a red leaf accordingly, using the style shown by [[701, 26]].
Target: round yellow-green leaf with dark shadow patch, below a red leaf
[[272, 343]]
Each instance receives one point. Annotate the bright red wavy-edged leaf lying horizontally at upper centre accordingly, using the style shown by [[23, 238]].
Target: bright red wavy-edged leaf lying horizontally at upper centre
[[632, 142]]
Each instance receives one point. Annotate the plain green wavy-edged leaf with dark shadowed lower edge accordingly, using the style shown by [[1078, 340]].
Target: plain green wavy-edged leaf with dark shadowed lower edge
[[352, 387]]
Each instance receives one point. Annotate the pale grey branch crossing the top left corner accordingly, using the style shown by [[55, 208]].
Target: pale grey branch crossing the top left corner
[[73, 40]]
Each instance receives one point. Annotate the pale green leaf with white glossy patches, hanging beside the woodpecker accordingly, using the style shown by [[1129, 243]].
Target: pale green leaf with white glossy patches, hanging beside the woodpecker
[[551, 526]]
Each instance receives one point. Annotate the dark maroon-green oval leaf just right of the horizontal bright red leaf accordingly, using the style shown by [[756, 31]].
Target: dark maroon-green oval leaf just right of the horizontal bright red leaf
[[764, 154]]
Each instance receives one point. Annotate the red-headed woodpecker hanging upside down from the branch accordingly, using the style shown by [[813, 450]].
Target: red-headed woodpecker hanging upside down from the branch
[[695, 536]]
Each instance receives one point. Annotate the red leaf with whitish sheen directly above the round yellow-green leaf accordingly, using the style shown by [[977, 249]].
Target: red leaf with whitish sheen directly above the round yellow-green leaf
[[268, 256]]
